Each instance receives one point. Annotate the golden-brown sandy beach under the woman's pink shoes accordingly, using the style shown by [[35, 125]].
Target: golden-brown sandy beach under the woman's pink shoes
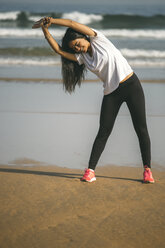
[[48, 206]]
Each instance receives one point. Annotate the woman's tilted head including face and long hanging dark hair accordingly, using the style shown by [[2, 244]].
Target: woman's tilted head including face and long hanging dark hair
[[72, 72]]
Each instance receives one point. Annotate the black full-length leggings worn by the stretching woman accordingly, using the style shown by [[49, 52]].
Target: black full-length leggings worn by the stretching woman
[[130, 92]]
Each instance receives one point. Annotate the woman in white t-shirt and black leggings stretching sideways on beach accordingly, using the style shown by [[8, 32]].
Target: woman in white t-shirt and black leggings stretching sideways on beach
[[83, 47]]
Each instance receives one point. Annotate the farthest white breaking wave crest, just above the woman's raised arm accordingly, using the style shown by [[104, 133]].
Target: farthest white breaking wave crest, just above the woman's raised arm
[[82, 17]]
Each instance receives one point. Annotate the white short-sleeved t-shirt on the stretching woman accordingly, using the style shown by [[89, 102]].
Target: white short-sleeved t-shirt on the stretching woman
[[106, 62]]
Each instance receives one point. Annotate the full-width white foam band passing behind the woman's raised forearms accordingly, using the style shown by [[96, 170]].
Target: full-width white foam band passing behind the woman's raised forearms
[[58, 33]]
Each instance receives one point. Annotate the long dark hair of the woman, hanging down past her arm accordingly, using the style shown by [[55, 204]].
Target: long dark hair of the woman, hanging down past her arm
[[72, 72]]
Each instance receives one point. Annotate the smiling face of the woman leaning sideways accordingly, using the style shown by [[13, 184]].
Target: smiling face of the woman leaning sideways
[[80, 45]]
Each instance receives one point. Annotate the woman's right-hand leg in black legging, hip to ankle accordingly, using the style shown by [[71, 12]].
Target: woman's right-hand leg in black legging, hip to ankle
[[136, 104]]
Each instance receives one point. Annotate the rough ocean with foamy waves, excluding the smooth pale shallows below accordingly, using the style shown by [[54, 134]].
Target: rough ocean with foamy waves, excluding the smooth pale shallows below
[[138, 33]]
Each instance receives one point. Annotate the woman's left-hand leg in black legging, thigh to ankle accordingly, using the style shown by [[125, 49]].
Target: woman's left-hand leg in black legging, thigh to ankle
[[109, 110]]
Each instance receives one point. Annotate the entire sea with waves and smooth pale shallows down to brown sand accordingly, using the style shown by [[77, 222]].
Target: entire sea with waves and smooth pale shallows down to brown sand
[[30, 76]]
